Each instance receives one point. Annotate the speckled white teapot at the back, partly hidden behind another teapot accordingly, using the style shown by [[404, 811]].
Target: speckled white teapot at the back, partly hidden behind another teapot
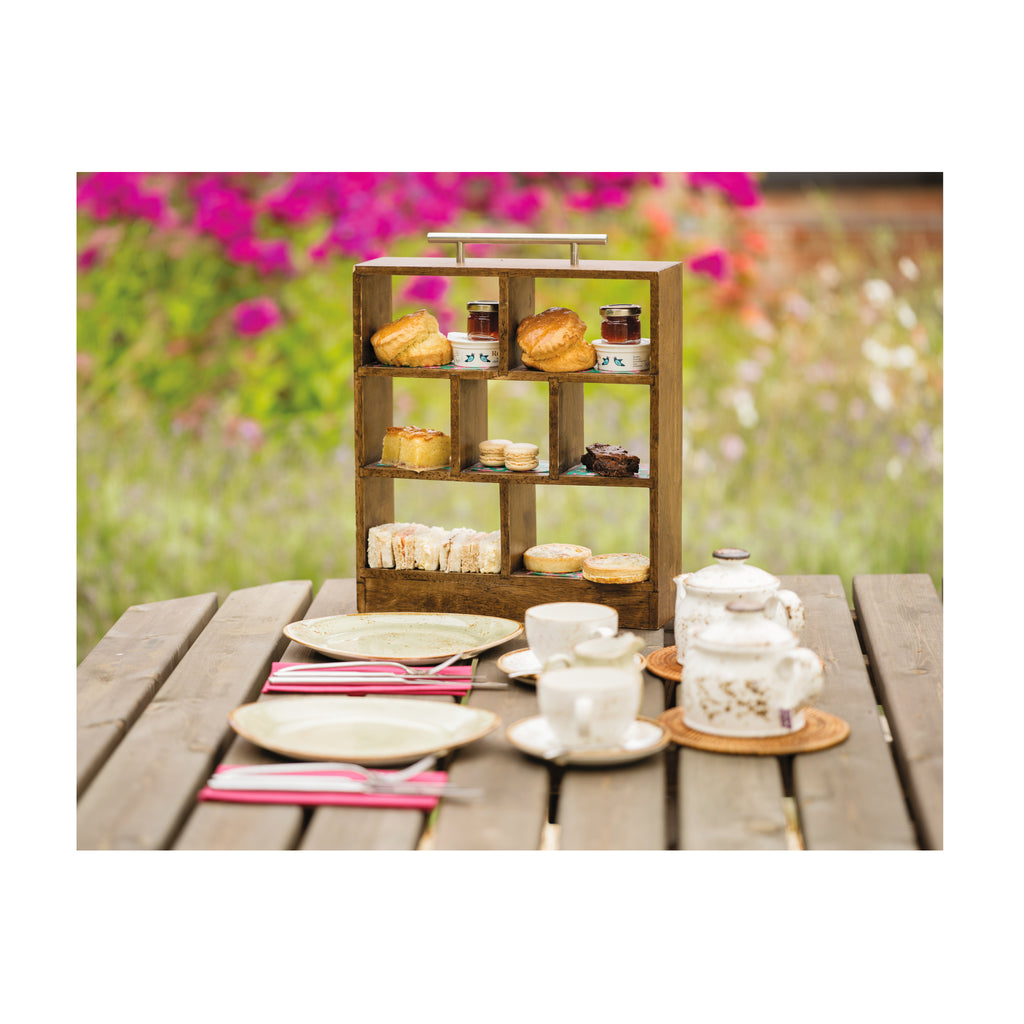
[[702, 596]]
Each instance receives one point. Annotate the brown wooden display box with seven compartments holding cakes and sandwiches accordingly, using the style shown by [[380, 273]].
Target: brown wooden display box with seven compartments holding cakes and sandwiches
[[644, 606]]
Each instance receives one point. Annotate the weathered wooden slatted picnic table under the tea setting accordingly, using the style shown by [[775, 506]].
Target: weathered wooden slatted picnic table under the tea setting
[[155, 695]]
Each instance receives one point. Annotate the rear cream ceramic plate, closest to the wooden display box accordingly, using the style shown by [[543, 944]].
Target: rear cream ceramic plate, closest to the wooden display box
[[411, 637]]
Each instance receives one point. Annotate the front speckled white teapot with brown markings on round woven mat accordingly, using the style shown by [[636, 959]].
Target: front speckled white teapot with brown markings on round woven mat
[[745, 676]]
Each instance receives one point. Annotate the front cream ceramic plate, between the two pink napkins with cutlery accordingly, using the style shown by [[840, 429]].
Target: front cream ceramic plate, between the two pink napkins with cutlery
[[365, 731]]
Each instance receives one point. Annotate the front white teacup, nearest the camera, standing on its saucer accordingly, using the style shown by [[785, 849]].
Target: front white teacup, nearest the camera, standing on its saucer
[[589, 709]]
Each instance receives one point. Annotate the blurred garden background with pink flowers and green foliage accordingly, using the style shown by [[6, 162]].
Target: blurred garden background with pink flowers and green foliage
[[215, 367]]
